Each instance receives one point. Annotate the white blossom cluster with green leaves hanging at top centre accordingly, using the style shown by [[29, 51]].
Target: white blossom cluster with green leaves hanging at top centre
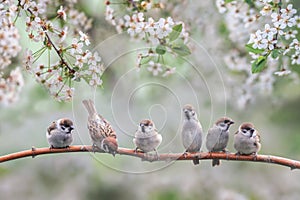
[[164, 36]]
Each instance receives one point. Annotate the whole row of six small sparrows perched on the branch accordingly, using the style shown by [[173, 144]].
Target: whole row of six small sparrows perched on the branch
[[147, 139]]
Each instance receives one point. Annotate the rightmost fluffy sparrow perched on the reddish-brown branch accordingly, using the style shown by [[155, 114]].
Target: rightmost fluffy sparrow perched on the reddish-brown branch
[[247, 139]]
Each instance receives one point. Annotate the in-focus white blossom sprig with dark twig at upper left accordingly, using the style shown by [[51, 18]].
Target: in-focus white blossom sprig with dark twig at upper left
[[68, 62]]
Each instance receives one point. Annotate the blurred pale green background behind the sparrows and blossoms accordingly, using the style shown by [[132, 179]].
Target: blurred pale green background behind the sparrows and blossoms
[[127, 97]]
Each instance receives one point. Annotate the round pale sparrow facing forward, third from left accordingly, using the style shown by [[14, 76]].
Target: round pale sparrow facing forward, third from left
[[146, 137]]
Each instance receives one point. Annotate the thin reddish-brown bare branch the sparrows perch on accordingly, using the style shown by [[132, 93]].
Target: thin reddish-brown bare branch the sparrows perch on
[[293, 164]]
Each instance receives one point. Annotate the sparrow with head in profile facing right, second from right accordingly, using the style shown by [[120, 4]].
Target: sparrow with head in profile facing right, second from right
[[217, 137]]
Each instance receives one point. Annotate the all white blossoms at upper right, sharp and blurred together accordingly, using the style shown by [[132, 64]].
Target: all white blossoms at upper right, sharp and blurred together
[[272, 44]]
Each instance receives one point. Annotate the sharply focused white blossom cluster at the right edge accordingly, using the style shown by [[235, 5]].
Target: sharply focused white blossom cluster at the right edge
[[278, 39]]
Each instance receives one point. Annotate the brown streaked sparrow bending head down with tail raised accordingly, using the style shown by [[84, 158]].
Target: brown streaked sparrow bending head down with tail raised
[[101, 132]]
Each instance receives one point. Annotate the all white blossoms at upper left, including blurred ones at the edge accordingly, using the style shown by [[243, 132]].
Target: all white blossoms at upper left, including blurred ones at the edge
[[59, 62]]
